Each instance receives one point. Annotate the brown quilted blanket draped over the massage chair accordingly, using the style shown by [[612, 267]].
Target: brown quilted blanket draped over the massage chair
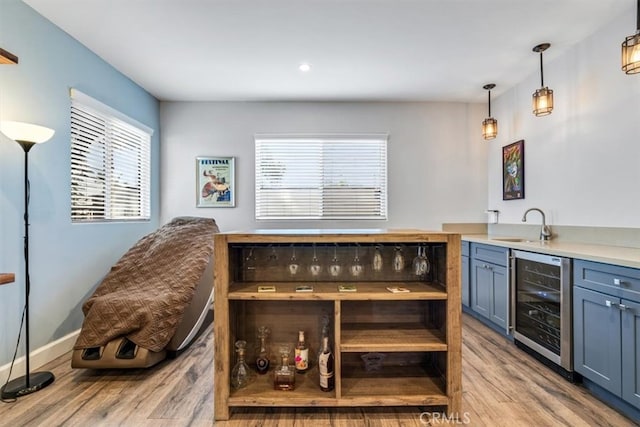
[[146, 292]]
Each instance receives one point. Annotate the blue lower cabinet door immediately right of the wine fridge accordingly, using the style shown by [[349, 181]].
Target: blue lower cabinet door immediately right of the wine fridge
[[597, 340]]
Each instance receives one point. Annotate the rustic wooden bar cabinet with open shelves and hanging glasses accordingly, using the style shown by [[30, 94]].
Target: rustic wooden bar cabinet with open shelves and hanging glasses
[[410, 341]]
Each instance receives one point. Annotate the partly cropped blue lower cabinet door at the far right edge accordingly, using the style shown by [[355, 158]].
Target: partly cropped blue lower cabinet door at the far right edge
[[631, 352]]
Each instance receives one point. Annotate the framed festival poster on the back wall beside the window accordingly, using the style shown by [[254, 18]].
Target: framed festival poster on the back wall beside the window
[[215, 182]]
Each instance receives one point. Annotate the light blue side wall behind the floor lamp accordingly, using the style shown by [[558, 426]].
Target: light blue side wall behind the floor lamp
[[67, 260]]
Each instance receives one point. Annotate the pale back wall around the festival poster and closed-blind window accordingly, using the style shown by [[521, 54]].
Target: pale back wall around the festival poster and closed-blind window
[[437, 160]]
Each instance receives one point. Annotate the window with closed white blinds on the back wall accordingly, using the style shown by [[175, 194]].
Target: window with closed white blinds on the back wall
[[336, 177]]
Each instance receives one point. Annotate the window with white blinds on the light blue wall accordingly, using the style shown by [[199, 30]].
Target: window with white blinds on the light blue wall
[[110, 166]]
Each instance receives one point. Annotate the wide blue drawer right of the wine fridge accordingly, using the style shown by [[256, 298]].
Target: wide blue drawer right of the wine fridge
[[623, 282]]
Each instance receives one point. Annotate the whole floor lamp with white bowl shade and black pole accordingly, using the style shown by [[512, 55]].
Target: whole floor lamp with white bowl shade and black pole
[[27, 135]]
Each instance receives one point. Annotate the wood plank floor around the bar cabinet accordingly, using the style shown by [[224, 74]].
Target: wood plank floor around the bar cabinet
[[502, 386]]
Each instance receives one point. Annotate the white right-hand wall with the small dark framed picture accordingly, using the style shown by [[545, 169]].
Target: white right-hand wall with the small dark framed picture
[[582, 162]]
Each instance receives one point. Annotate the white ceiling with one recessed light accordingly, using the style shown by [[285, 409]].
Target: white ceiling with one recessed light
[[439, 50]]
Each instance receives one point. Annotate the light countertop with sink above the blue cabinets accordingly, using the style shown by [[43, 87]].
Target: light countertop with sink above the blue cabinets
[[628, 257]]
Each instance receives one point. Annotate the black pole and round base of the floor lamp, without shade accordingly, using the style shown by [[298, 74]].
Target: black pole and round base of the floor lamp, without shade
[[31, 382]]
